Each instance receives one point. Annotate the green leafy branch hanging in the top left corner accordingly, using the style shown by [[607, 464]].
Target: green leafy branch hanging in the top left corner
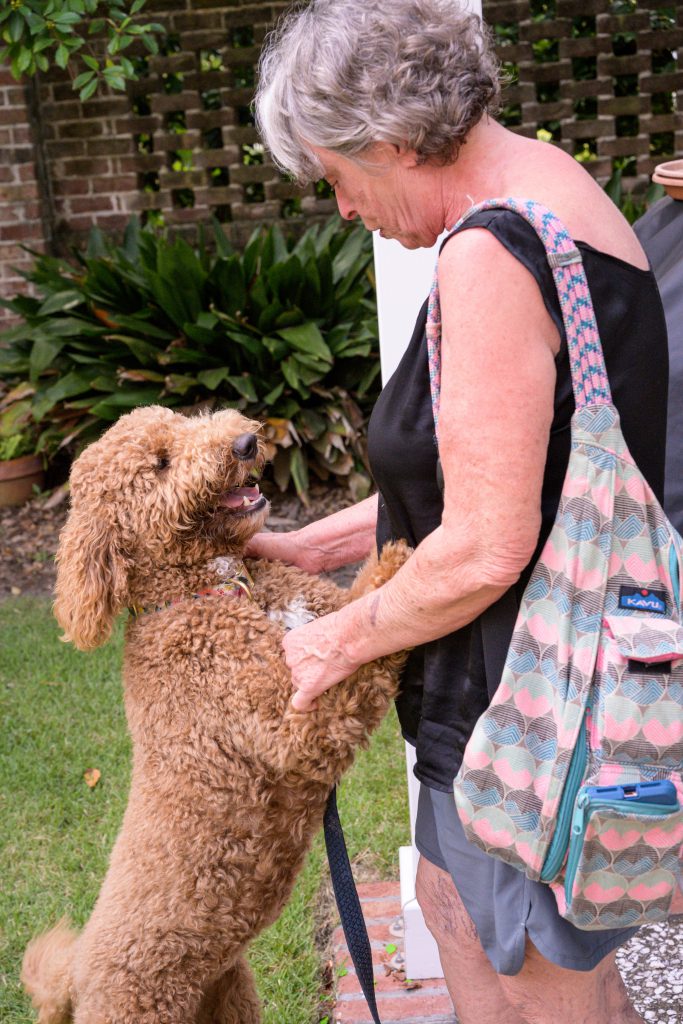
[[38, 34]]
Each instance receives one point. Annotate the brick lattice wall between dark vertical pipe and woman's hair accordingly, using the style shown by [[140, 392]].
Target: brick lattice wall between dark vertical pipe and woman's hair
[[182, 146]]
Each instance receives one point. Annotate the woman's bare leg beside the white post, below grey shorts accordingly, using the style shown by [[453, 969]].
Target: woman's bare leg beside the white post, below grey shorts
[[473, 984]]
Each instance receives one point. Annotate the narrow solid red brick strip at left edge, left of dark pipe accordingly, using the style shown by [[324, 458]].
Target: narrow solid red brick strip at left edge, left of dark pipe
[[20, 207]]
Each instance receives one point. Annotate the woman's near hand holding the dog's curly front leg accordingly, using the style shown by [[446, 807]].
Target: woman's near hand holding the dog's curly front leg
[[317, 660]]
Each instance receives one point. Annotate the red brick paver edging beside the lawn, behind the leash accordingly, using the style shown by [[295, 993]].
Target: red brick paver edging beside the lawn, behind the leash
[[398, 1002]]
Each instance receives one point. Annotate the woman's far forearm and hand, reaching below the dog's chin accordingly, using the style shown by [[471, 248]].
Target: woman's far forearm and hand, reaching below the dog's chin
[[338, 540]]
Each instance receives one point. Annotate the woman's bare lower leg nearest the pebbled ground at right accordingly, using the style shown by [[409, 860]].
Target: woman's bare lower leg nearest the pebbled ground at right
[[545, 994]]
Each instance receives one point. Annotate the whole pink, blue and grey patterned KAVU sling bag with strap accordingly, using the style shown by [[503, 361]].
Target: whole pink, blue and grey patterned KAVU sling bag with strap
[[574, 774]]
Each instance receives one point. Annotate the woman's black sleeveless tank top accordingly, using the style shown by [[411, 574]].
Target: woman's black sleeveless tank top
[[445, 687]]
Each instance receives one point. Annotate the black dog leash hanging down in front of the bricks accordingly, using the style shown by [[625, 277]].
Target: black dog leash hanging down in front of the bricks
[[349, 904]]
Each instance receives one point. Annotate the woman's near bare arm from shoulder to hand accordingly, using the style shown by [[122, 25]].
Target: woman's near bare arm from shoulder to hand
[[498, 378]]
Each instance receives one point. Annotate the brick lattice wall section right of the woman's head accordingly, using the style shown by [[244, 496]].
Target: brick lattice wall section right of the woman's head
[[605, 80]]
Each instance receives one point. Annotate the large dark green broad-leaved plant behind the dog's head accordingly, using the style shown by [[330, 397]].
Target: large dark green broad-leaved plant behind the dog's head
[[285, 331]]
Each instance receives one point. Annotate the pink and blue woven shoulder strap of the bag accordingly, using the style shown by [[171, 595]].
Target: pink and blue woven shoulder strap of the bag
[[589, 377]]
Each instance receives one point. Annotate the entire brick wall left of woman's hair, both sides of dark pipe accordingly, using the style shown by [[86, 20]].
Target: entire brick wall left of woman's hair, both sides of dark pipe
[[114, 156]]
